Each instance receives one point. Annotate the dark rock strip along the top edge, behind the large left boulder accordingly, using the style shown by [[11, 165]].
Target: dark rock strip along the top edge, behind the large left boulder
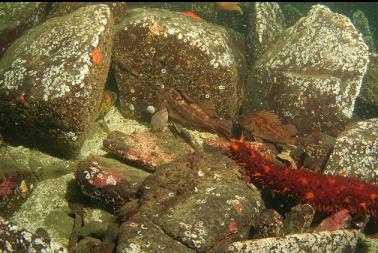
[[63, 8]]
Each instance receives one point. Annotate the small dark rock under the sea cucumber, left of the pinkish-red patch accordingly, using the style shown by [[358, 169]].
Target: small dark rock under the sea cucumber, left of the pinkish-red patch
[[299, 219]]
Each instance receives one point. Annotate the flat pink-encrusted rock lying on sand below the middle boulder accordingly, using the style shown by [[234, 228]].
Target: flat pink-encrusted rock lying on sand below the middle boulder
[[147, 149]]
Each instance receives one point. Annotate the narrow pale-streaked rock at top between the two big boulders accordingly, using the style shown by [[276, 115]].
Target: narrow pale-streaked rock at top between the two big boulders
[[267, 25]]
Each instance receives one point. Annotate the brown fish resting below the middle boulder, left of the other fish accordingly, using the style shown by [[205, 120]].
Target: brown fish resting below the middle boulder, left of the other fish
[[183, 110]]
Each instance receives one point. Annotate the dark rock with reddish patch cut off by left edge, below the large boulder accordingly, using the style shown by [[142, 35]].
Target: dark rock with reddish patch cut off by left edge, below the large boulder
[[15, 187]]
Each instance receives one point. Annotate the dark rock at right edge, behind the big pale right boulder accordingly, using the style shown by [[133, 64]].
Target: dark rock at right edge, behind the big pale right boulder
[[367, 100]]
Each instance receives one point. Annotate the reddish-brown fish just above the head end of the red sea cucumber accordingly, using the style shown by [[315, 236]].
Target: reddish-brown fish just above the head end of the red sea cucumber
[[266, 125]]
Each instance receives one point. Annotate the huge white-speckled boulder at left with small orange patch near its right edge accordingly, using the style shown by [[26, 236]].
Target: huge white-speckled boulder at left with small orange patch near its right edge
[[52, 80]]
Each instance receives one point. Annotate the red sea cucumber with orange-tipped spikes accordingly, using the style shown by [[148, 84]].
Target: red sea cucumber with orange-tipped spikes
[[328, 193]]
